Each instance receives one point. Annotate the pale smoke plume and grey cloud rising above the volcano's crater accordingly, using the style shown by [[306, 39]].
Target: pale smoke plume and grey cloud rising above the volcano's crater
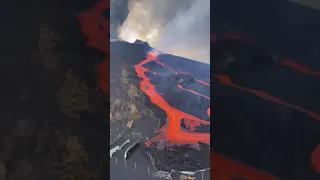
[[180, 27]]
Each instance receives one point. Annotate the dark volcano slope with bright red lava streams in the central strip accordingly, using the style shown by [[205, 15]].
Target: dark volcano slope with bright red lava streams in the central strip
[[177, 91]]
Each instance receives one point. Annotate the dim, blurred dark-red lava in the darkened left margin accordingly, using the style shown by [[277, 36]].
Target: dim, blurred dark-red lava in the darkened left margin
[[96, 28]]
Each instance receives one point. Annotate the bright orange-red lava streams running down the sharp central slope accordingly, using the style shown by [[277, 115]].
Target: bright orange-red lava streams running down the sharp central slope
[[171, 131]]
